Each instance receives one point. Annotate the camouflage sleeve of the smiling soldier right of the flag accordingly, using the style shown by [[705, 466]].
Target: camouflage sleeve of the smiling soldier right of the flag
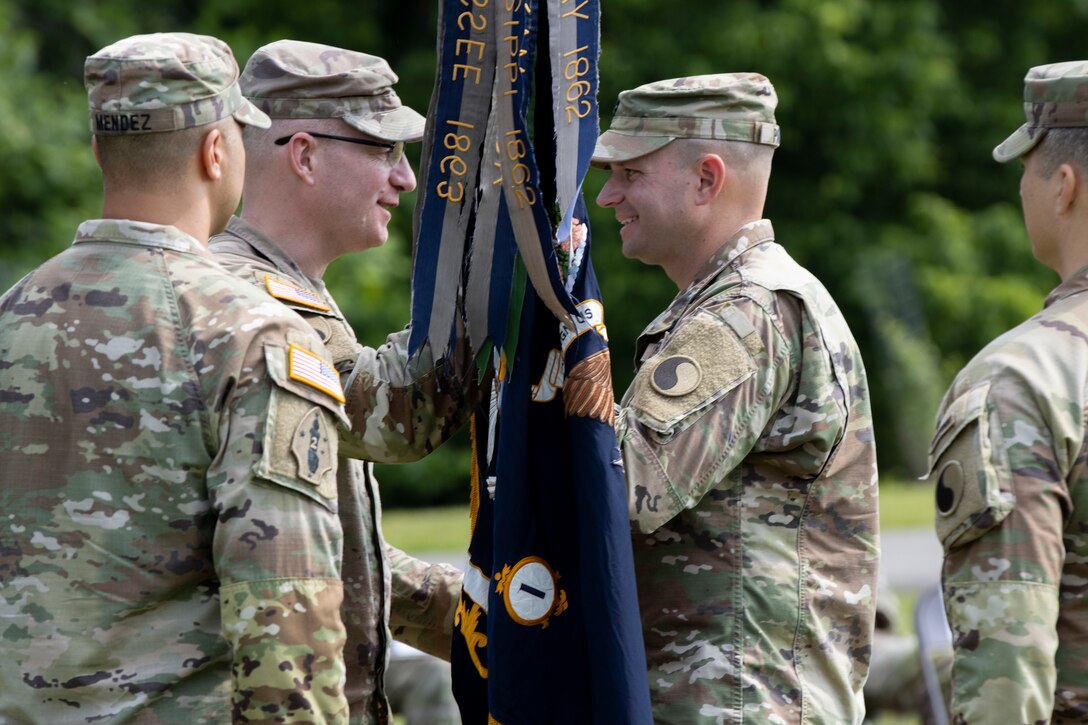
[[699, 405]]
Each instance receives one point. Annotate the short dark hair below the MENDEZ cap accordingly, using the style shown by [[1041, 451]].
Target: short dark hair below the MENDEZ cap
[[153, 162]]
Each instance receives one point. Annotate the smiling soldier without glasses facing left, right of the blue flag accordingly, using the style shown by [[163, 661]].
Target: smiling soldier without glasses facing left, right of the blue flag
[[747, 435]]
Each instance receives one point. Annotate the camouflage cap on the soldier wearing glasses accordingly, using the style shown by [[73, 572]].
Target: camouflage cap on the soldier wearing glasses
[[299, 80]]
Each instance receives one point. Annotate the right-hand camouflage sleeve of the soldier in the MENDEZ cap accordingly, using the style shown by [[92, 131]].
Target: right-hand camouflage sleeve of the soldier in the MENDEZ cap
[[278, 546]]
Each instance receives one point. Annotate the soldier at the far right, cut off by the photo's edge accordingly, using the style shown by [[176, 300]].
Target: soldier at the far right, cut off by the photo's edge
[[1008, 461]]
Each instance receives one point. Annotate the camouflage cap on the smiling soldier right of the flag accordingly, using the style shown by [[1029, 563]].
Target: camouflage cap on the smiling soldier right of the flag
[[727, 106]]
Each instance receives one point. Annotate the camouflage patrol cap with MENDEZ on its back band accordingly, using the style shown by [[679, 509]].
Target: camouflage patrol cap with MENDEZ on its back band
[[165, 82]]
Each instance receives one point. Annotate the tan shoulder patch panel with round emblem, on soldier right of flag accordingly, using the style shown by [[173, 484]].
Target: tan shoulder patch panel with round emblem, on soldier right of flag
[[703, 361]]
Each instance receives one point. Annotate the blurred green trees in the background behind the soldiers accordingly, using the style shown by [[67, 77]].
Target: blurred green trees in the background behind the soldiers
[[884, 186]]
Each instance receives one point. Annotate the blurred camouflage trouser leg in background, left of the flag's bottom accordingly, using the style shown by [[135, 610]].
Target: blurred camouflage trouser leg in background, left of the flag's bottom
[[421, 690]]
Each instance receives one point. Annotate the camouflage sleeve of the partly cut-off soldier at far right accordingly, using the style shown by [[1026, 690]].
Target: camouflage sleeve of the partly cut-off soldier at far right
[[1000, 513]]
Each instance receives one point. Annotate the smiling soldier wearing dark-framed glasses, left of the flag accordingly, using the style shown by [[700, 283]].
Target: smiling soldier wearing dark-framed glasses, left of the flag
[[320, 183]]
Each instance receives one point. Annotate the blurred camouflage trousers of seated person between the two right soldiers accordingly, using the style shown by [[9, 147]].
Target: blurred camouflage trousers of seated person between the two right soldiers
[[896, 682]]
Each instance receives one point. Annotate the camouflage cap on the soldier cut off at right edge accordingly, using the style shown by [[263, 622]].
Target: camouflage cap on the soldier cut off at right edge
[[1056, 96]]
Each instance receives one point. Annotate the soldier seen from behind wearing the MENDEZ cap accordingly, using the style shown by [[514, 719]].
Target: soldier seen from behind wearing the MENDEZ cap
[[171, 551]]
